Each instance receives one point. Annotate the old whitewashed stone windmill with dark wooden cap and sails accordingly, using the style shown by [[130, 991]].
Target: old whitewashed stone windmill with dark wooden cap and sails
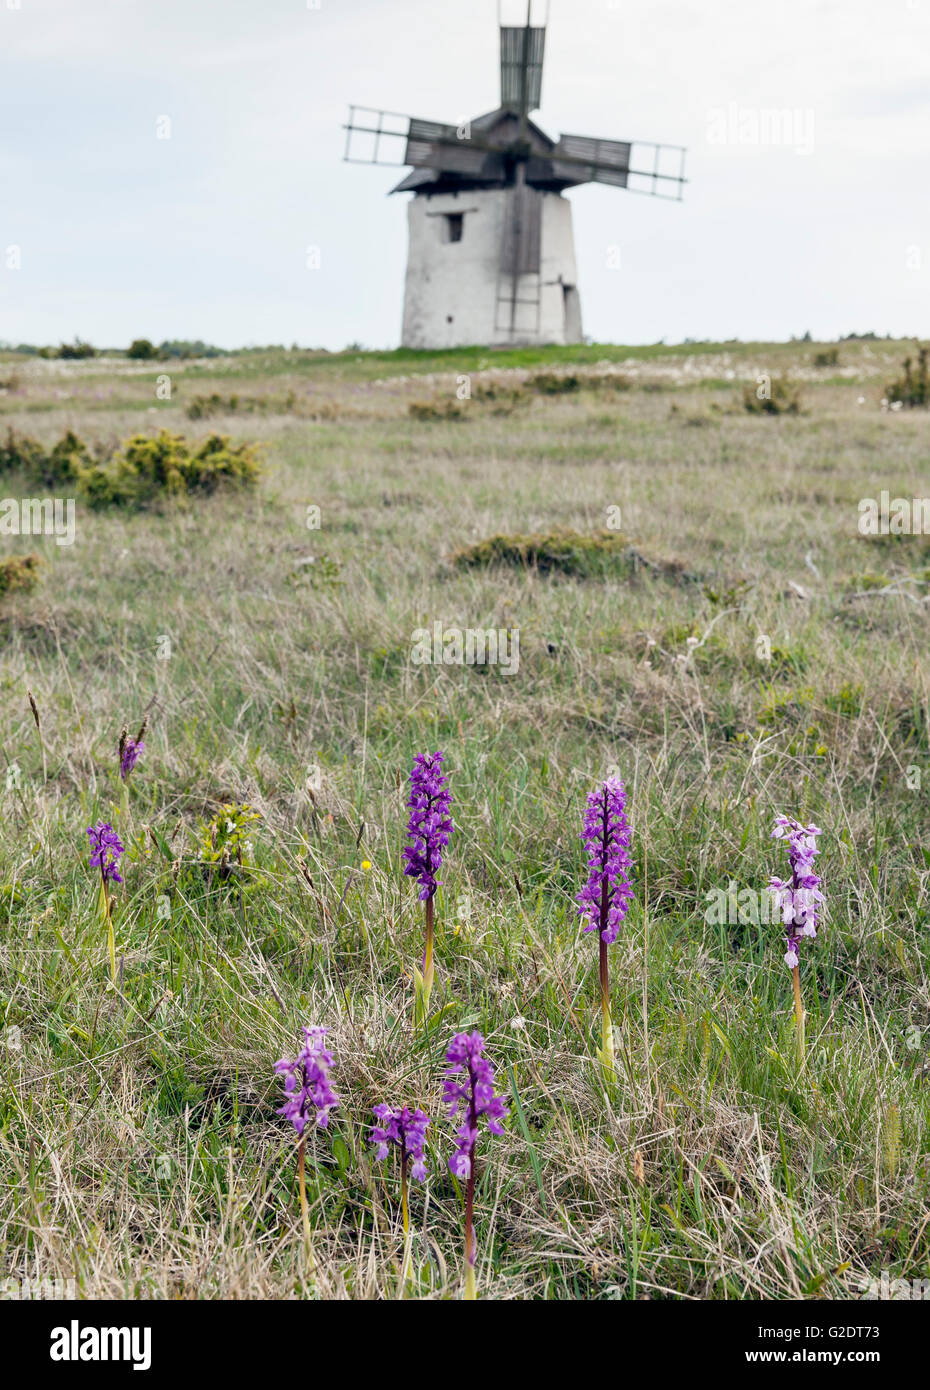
[[491, 250]]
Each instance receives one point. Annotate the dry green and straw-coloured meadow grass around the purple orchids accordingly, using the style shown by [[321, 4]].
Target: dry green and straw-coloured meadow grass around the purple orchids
[[141, 1154]]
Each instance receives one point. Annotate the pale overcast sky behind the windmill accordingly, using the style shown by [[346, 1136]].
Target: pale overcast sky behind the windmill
[[822, 224]]
